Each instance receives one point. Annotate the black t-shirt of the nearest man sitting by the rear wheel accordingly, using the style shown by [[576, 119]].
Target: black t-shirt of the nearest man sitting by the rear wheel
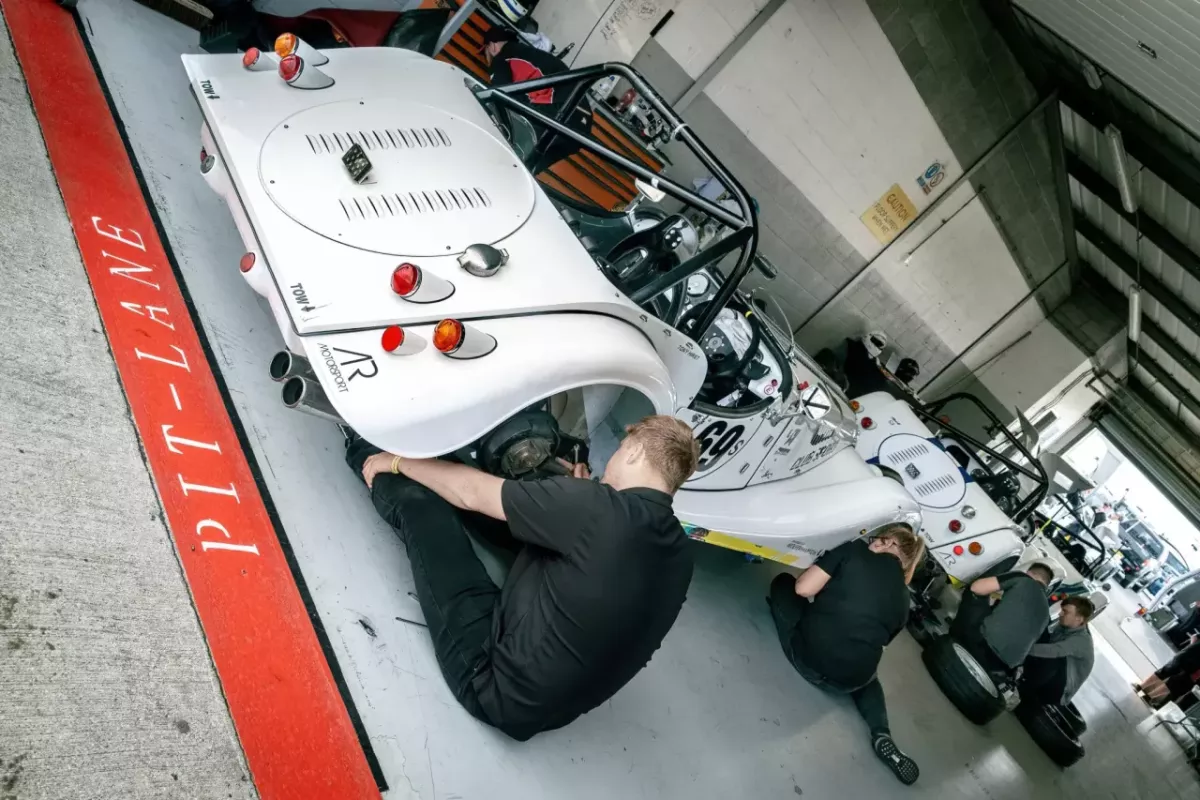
[[586, 604]]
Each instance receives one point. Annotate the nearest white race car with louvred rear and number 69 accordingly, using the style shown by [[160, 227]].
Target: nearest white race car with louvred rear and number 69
[[434, 298]]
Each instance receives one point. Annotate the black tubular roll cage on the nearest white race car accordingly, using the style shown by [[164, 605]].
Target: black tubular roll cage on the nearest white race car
[[743, 237]]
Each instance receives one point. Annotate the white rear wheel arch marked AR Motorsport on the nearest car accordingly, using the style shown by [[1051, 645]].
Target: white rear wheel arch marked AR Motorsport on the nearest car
[[379, 388]]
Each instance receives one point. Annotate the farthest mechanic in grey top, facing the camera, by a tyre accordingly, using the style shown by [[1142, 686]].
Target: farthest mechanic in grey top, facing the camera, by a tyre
[[1063, 659]]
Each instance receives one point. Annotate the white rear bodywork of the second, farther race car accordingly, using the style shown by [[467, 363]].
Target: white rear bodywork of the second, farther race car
[[901, 442]]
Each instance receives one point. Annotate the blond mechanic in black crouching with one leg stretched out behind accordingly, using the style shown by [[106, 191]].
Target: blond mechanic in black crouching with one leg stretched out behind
[[836, 619]]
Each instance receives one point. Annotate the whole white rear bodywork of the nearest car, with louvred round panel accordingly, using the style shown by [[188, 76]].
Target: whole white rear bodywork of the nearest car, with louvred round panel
[[443, 178]]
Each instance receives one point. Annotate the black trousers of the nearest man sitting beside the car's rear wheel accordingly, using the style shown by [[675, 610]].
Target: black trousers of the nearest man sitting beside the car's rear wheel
[[454, 590]]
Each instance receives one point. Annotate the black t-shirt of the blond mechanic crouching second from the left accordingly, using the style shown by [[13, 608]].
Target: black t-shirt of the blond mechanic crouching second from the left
[[857, 613]]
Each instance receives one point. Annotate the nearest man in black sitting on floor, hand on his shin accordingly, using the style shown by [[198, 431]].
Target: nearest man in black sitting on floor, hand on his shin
[[599, 584]]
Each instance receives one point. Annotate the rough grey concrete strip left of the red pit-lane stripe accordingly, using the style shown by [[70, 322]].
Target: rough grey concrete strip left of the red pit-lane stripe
[[106, 685]]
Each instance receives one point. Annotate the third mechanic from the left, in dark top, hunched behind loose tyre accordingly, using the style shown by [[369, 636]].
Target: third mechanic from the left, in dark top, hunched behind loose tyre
[[1000, 636]]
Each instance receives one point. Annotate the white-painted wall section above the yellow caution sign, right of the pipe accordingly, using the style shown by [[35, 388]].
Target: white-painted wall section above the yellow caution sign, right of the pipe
[[823, 94]]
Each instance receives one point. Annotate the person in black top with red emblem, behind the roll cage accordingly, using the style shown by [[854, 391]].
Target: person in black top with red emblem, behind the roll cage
[[512, 61]]
